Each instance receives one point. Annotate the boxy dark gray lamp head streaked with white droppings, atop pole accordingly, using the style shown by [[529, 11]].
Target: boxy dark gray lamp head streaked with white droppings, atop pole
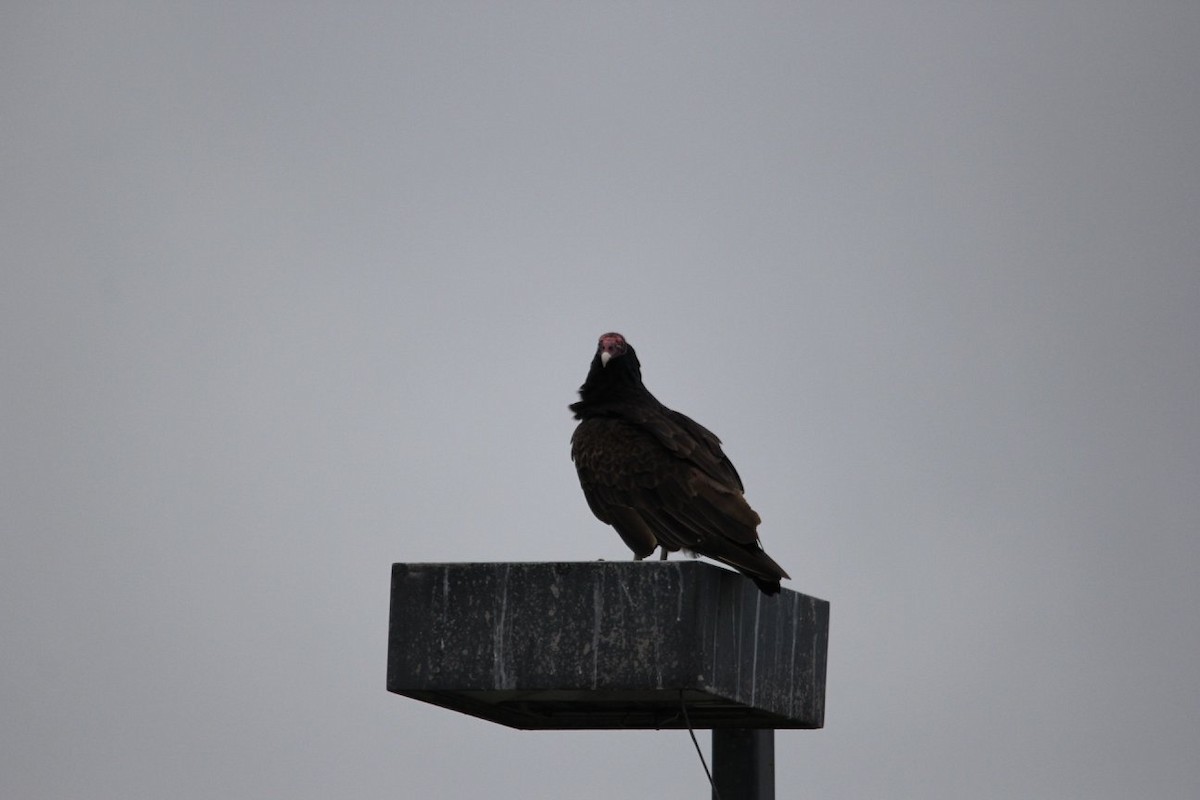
[[607, 645]]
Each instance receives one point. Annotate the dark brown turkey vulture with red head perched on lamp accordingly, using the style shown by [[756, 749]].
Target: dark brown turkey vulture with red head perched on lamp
[[659, 478]]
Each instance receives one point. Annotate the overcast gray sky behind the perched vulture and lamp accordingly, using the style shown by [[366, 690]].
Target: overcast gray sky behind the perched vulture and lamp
[[293, 292]]
